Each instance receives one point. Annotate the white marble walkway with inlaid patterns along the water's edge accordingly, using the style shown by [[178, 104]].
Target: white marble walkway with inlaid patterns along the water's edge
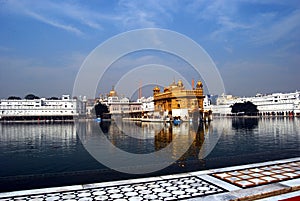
[[273, 180]]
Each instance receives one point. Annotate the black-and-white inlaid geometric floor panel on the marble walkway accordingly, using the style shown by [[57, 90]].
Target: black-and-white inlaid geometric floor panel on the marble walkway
[[168, 189]]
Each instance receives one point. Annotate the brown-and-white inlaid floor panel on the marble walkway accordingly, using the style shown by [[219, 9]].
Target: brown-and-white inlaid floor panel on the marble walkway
[[261, 175]]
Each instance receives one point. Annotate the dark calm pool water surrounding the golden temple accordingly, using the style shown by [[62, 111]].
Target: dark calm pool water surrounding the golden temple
[[43, 155]]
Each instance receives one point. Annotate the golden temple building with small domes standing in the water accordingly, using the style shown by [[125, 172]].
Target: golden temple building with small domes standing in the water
[[176, 101]]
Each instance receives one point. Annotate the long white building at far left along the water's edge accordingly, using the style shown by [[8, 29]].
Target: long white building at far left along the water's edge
[[42, 109]]
